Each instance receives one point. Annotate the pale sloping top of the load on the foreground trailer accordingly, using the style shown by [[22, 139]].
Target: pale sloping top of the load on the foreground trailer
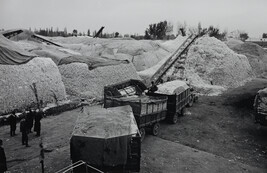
[[106, 123]]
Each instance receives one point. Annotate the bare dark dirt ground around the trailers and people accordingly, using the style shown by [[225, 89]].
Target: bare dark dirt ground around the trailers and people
[[218, 135]]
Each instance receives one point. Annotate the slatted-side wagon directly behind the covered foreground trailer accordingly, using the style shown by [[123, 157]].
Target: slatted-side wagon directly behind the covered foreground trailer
[[148, 110]]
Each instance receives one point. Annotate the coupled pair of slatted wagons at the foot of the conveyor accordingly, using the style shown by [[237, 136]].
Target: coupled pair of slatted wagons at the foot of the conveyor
[[149, 108]]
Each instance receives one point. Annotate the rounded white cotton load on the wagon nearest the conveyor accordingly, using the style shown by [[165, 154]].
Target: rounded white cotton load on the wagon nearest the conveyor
[[172, 87]]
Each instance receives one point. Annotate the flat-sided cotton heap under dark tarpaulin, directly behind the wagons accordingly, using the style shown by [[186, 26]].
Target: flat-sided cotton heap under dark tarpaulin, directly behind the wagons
[[80, 81]]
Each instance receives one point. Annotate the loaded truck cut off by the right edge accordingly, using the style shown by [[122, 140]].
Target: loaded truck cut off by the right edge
[[260, 107]]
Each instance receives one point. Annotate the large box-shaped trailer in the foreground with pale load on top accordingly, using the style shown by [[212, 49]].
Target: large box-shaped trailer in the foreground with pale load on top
[[107, 139]]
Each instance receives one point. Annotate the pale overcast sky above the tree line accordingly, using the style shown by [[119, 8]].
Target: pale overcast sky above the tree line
[[134, 16]]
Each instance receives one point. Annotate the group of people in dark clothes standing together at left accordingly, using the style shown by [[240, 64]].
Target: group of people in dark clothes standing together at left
[[30, 119]]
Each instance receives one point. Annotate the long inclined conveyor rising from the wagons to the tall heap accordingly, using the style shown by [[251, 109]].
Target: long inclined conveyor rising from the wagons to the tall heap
[[176, 55]]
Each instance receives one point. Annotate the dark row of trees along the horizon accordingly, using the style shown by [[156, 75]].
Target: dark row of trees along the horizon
[[162, 30]]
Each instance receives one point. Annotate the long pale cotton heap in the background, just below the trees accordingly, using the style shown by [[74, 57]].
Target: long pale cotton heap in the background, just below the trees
[[142, 53]]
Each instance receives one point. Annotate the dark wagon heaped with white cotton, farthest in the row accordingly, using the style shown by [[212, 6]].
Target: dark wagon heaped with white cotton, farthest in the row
[[179, 96]]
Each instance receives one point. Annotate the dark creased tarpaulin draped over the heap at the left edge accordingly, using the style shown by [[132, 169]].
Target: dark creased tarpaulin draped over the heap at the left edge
[[11, 54]]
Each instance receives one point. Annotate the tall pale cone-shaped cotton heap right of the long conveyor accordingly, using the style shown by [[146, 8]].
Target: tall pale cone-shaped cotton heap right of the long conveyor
[[210, 62]]
